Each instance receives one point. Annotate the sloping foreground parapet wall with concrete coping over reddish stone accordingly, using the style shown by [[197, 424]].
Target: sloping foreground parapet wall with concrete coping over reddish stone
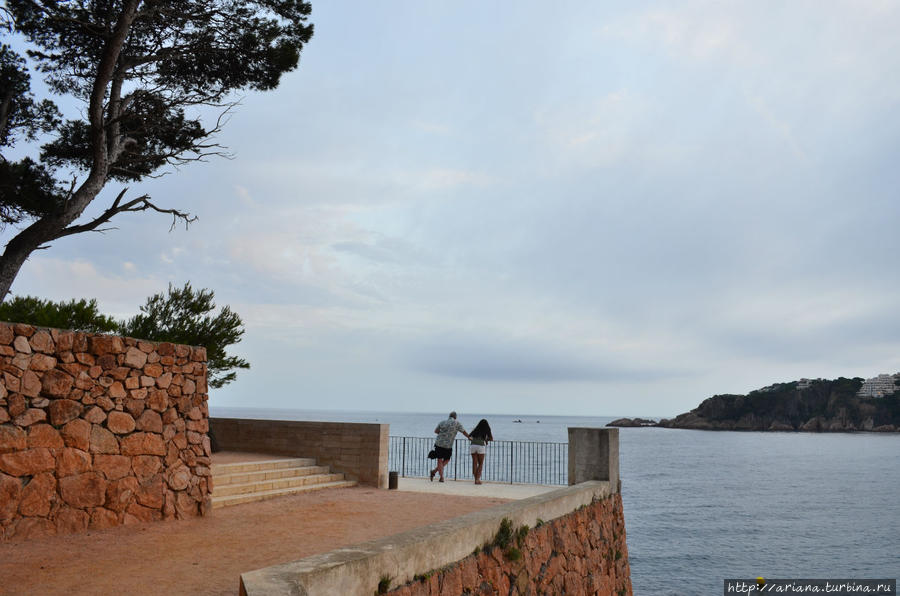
[[581, 535]]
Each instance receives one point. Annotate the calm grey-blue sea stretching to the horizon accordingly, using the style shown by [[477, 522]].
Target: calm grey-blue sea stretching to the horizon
[[703, 506]]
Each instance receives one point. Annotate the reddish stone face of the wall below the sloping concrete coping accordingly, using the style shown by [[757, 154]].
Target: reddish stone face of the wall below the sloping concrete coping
[[581, 553]]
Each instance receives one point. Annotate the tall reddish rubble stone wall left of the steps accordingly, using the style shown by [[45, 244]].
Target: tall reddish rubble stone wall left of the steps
[[98, 430]]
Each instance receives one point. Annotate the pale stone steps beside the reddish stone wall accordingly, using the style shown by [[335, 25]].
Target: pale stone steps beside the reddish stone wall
[[244, 482]]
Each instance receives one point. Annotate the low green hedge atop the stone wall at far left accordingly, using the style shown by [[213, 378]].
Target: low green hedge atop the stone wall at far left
[[81, 315]]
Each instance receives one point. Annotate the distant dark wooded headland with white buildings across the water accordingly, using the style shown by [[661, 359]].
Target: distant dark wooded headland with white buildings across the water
[[809, 405]]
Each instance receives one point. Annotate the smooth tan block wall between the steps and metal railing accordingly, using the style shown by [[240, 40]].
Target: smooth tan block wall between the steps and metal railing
[[358, 450]]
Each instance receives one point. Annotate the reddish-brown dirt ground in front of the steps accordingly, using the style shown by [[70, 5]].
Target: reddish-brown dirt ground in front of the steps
[[206, 556]]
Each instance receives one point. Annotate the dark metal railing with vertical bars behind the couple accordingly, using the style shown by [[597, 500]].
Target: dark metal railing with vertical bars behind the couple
[[523, 462]]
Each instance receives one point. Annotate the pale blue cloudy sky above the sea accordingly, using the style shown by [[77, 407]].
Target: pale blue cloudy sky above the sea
[[583, 208]]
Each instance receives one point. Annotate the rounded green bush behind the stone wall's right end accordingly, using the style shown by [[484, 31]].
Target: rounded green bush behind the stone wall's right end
[[184, 316]]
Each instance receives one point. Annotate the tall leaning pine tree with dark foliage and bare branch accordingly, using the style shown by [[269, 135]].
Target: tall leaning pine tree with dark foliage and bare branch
[[138, 77]]
